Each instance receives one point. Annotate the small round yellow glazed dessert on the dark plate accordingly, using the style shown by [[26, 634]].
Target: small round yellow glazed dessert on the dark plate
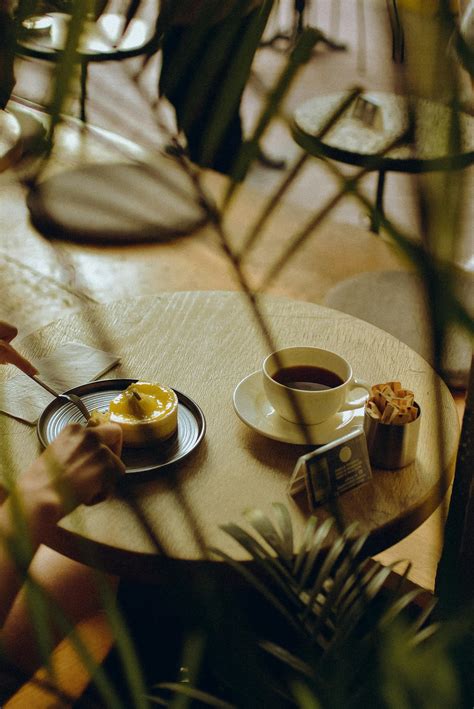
[[145, 412]]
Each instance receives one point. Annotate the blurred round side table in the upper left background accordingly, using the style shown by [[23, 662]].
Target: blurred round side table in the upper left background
[[102, 40]]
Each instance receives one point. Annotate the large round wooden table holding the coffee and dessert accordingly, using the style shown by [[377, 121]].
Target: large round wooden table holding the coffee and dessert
[[204, 344]]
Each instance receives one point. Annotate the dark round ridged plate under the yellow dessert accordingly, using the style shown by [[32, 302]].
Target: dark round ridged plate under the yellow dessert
[[142, 461]]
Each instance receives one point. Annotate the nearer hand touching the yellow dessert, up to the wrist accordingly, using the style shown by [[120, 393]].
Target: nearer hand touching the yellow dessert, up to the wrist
[[81, 466]]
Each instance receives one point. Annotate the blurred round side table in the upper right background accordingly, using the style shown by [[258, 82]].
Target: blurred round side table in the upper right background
[[353, 142]]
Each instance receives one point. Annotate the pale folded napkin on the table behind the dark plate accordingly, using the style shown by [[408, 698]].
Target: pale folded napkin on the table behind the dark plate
[[69, 366]]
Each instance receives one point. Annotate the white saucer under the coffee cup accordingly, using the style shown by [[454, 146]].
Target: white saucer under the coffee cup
[[253, 408]]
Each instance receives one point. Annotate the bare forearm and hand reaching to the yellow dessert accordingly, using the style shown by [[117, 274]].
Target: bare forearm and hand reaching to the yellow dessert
[[80, 466]]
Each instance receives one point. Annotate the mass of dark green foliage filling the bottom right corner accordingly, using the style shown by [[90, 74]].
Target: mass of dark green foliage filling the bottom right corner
[[358, 644]]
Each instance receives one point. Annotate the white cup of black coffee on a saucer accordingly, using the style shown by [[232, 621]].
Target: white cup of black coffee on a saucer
[[323, 369]]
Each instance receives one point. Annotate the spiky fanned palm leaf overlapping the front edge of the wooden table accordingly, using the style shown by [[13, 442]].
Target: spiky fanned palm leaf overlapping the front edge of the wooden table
[[327, 591]]
